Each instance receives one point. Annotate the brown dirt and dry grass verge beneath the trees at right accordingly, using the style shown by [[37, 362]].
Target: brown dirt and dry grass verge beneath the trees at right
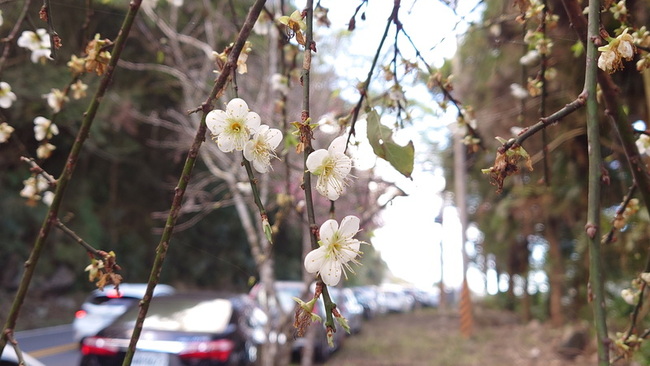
[[430, 337]]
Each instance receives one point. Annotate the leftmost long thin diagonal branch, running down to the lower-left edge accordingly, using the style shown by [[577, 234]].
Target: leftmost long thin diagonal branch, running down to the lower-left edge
[[68, 170]]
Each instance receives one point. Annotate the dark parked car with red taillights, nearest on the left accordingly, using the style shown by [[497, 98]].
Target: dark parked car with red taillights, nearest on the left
[[189, 329]]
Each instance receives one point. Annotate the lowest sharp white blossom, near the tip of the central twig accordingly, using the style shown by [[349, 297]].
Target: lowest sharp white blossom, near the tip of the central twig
[[337, 248]]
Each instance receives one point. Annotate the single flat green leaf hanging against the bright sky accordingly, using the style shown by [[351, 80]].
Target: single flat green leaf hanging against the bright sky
[[381, 140]]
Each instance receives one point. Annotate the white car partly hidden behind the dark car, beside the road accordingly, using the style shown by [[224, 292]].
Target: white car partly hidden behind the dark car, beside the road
[[101, 307]]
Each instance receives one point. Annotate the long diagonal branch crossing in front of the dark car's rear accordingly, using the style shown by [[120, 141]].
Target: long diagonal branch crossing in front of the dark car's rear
[[185, 176]]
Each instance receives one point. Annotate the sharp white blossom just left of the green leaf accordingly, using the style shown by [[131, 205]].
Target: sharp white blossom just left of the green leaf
[[332, 167]]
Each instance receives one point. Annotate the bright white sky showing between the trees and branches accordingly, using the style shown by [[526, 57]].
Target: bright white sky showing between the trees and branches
[[409, 240]]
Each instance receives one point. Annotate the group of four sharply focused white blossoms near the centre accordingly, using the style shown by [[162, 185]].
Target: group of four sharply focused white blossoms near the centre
[[239, 129]]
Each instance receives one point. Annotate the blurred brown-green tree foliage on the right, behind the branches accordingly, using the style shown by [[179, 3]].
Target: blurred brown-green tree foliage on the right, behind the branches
[[486, 64]]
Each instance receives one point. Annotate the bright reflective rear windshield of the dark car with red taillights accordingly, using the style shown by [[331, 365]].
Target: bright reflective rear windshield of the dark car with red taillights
[[185, 315]]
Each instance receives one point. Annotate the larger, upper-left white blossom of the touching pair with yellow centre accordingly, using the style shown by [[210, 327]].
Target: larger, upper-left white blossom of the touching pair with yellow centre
[[232, 128]]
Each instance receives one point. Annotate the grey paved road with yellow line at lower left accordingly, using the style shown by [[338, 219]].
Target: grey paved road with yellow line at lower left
[[53, 346]]
